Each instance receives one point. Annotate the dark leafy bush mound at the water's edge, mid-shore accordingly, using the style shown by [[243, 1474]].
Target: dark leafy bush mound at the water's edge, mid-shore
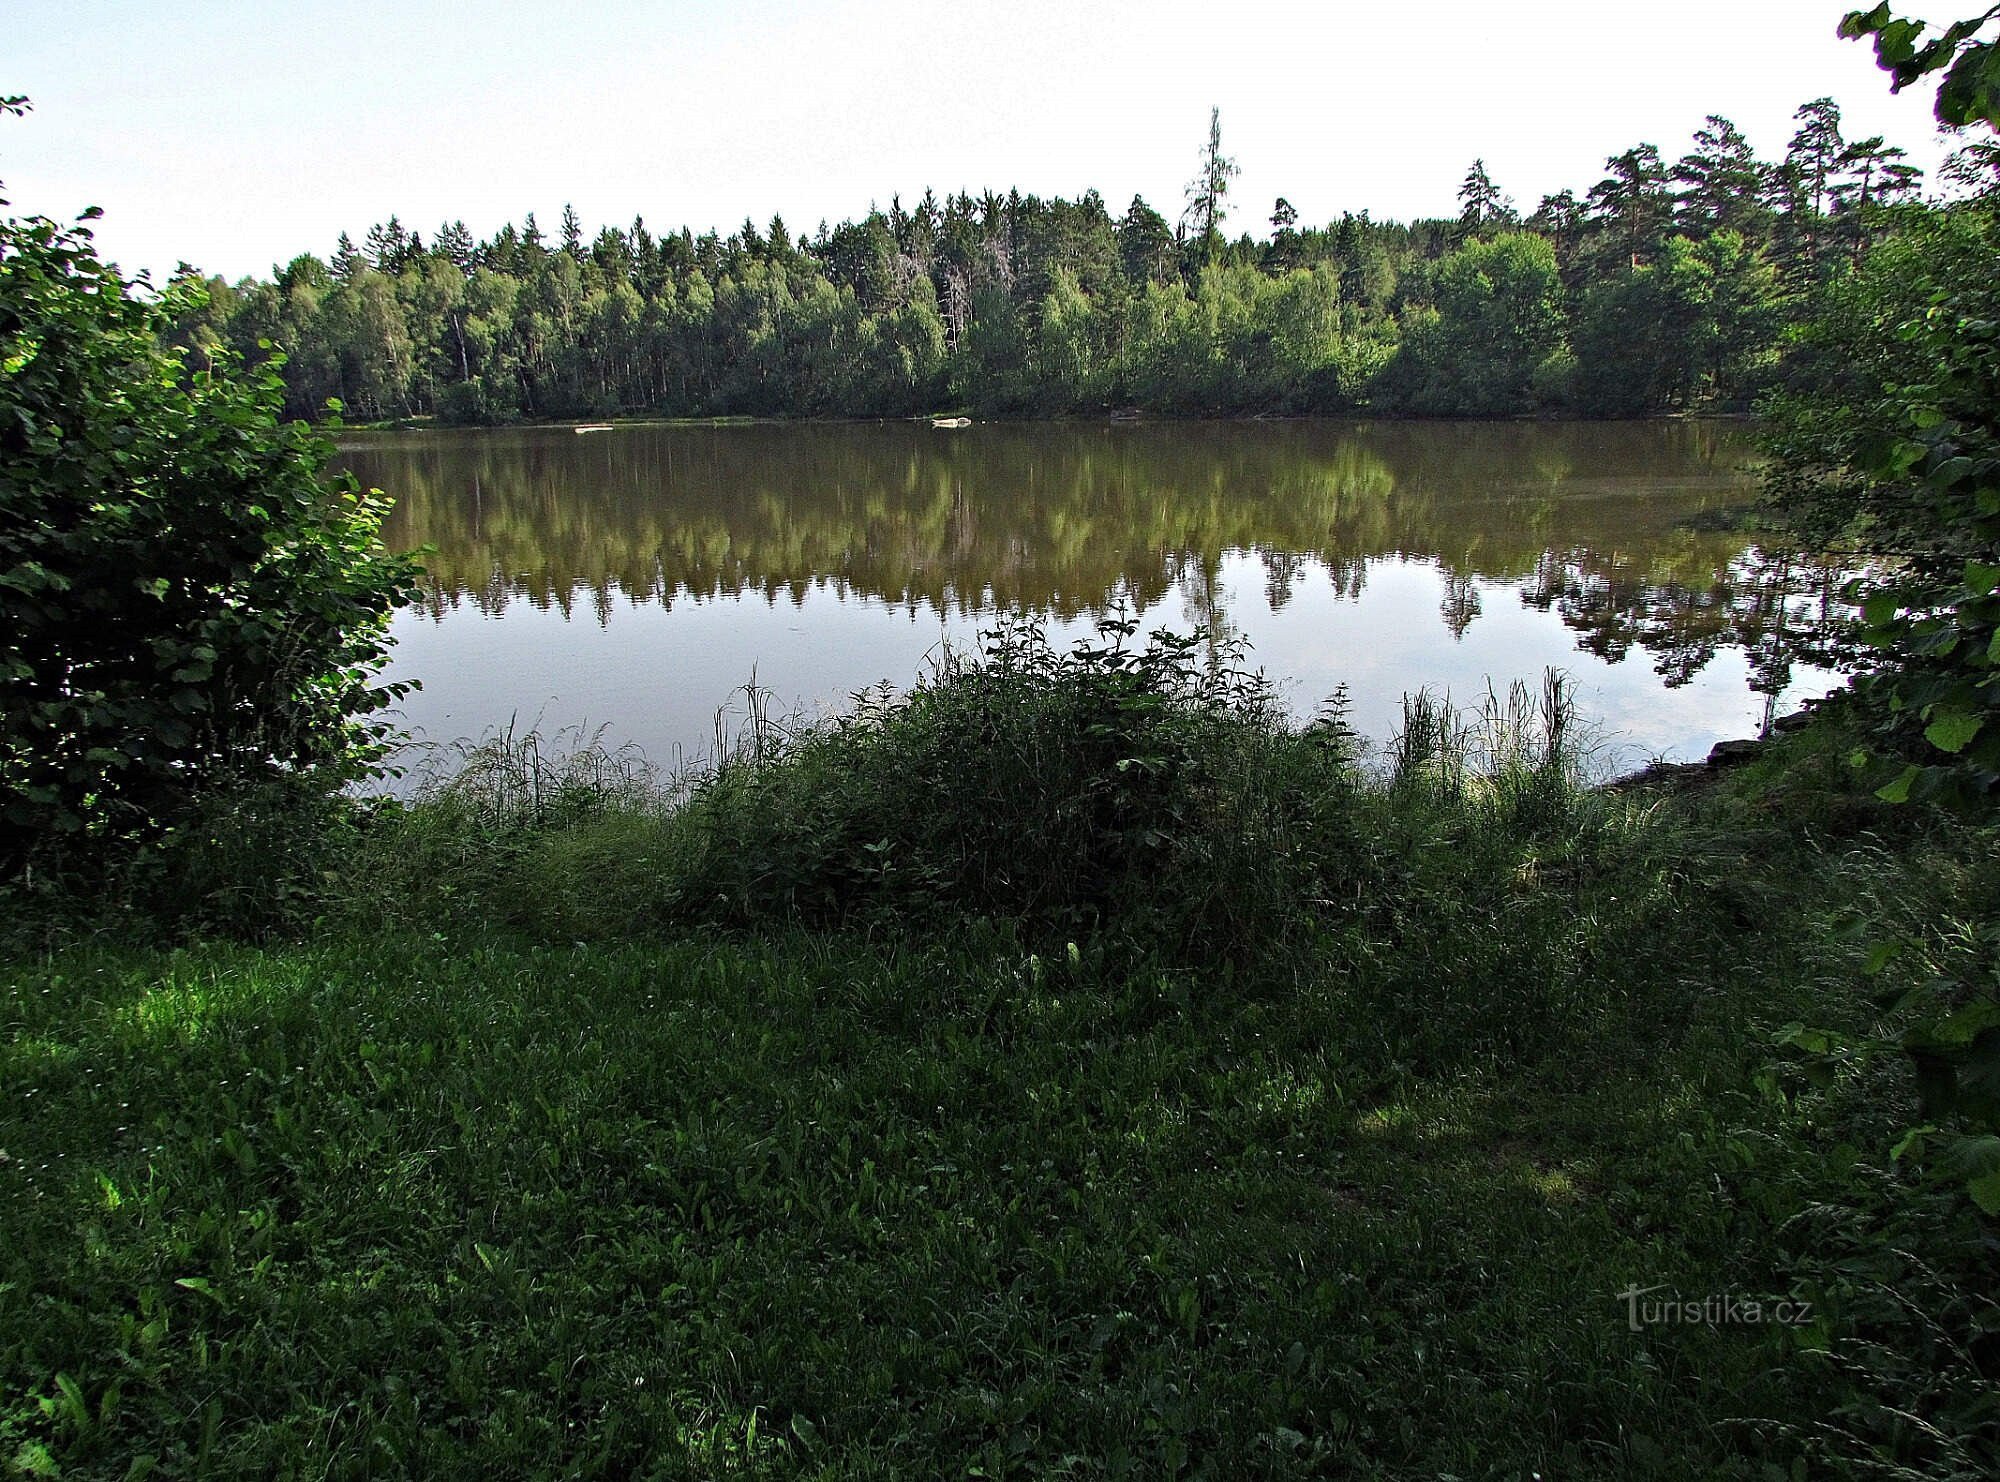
[[1149, 785]]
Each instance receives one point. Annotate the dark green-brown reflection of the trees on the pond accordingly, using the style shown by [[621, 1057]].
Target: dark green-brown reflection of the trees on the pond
[[1623, 531]]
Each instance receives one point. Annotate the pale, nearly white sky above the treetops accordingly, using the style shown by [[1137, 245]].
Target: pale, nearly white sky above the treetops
[[239, 135]]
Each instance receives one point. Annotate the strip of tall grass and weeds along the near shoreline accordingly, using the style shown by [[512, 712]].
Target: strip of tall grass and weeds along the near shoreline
[[1145, 791]]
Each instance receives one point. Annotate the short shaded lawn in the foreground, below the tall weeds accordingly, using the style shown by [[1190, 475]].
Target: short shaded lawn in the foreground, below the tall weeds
[[483, 1207]]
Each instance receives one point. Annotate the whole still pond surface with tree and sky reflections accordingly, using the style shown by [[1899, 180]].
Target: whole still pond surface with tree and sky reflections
[[635, 579]]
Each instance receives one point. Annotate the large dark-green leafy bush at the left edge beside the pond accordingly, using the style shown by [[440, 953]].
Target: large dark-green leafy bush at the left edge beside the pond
[[185, 601]]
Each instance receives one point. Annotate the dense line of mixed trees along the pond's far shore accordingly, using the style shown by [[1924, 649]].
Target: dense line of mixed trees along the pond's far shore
[[1665, 285]]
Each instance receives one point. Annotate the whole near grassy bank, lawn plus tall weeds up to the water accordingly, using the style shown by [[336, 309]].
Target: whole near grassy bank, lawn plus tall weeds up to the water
[[1069, 1073]]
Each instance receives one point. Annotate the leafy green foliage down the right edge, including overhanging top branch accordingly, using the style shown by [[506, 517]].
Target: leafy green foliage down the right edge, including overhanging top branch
[[1889, 447]]
